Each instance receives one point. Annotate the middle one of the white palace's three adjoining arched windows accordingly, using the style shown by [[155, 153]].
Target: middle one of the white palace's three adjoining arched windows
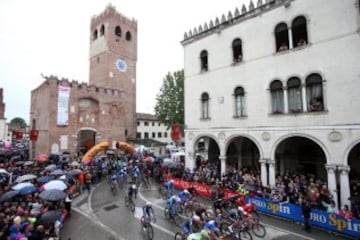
[[294, 95]]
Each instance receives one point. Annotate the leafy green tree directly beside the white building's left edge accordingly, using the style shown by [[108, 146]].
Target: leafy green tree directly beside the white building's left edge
[[170, 100]]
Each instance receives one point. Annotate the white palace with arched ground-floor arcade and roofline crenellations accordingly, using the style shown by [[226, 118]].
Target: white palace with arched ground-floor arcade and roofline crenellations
[[275, 86]]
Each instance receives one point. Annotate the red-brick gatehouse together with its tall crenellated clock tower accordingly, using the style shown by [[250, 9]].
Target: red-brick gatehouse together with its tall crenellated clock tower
[[105, 108]]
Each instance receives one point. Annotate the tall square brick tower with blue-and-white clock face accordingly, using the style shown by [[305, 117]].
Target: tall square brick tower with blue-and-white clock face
[[113, 56]]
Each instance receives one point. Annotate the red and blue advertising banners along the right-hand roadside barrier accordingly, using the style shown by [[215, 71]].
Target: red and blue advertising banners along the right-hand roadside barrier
[[318, 218]]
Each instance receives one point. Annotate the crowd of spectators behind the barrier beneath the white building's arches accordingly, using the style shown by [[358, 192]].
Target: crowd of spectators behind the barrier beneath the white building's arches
[[294, 187]]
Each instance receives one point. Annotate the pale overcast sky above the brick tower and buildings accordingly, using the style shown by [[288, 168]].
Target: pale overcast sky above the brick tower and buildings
[[51, 37]]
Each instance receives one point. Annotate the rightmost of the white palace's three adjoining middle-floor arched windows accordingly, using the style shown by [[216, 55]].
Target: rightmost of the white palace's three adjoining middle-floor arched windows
[[314, 93]]
